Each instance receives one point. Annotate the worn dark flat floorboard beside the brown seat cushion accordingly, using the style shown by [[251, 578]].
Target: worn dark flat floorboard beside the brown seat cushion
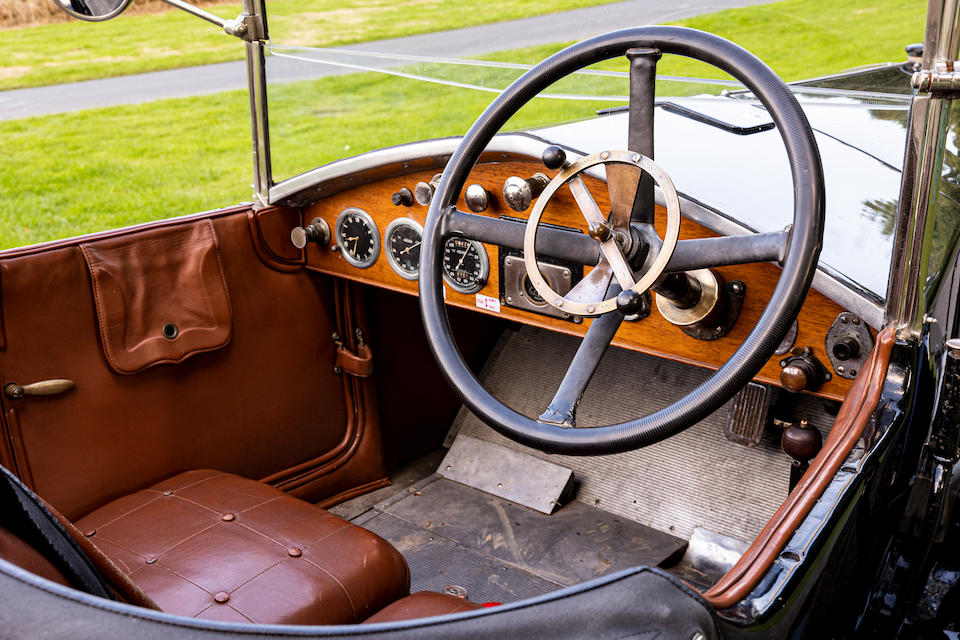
[[499, 551]]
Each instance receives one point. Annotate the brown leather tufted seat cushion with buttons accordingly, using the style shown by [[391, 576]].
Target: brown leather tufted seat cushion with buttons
[[212, 545]]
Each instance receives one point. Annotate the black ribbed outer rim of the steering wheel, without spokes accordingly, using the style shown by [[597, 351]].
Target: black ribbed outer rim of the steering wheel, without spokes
[[799, 263]]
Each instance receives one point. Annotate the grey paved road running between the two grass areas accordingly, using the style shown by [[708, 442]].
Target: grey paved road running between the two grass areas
[[471, 41]]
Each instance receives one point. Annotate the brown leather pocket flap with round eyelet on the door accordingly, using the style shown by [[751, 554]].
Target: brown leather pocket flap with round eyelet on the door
[[160, 295]]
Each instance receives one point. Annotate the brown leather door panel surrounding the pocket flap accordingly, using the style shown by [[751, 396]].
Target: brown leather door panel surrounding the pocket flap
[[265, 401]]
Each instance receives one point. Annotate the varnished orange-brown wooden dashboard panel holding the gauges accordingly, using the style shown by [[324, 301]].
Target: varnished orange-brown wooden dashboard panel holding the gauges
[[652, 335]]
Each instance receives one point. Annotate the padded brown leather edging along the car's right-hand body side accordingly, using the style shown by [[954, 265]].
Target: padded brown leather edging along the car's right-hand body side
[[847, 429]]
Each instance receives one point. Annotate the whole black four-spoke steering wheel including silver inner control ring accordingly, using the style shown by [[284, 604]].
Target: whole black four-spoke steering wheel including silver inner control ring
[[798, 249]]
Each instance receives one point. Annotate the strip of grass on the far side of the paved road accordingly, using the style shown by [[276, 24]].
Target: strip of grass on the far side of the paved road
[[76, 50]]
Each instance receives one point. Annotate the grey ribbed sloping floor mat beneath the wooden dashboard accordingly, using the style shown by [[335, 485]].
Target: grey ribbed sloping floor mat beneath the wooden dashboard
[[696, 478]]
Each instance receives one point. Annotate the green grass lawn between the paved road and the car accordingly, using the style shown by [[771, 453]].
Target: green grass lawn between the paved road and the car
[[74, 173]]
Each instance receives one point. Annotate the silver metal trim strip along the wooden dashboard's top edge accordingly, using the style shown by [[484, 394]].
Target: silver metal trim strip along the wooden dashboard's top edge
[[530, 146]]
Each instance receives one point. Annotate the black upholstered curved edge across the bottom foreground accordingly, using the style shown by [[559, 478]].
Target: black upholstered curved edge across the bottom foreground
[[608, 608]]
